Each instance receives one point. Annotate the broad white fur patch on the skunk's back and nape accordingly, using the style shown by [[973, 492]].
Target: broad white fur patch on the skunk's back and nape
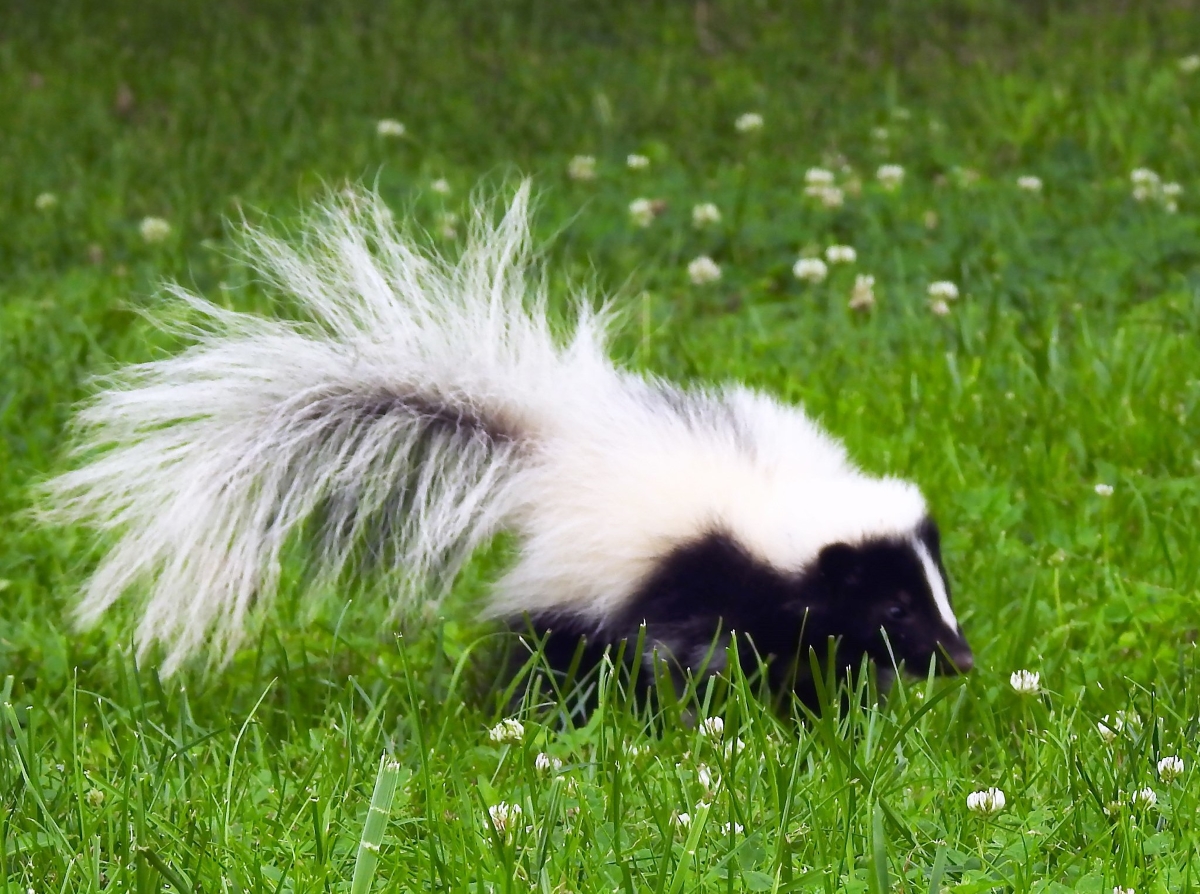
[[638, 470]]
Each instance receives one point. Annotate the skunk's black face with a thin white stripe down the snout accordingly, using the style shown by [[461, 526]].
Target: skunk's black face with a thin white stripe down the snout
[[889, 601]]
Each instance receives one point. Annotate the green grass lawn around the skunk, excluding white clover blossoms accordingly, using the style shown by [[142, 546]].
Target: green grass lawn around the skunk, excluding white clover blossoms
[[1070, 361]]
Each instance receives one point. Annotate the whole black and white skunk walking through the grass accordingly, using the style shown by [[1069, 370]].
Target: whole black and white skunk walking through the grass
[[428, 405]]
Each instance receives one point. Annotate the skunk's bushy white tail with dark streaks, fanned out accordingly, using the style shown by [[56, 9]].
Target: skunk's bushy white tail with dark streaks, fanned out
[[404, 410]]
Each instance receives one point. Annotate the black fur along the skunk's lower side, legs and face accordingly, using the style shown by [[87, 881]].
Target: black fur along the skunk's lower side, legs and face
[[869, 601]]
